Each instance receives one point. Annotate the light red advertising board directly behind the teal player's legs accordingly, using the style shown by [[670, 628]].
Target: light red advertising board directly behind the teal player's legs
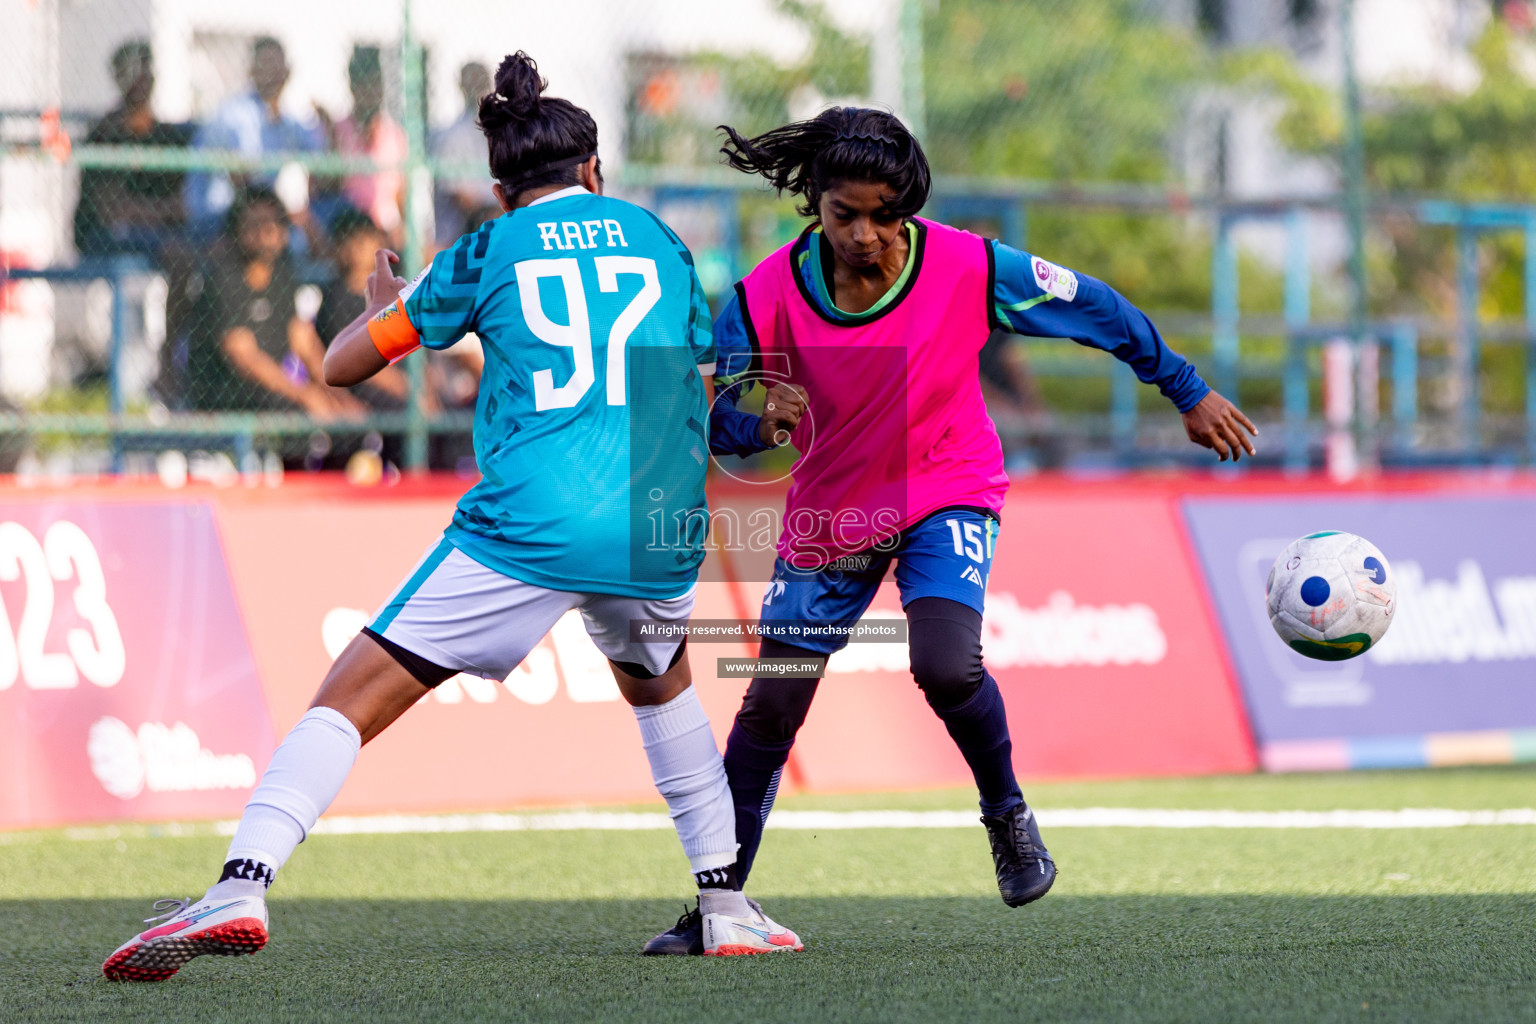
[[313, 573]]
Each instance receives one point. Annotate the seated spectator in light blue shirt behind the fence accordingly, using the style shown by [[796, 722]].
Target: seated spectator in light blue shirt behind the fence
[[251, 124]]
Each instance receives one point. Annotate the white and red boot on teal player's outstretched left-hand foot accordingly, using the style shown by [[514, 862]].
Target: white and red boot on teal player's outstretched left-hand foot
[[219, 928]]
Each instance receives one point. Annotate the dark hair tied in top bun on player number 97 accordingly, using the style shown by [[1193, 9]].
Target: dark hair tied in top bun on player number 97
[[534, 140]]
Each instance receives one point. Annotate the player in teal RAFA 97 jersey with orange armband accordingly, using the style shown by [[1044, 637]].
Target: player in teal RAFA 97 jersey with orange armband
[[621, 352]]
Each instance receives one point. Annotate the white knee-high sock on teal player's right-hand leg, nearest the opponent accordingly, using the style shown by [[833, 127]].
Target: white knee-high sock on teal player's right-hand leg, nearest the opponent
[[690, 775]]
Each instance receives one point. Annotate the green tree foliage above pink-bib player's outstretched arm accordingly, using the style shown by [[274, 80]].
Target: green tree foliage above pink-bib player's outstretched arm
[[1062, 91]]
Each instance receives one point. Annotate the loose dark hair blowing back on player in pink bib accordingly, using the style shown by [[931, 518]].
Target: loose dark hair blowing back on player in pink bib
[[842, 144]]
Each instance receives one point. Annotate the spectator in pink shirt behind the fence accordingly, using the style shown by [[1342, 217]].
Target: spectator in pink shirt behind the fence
[[369, 131]]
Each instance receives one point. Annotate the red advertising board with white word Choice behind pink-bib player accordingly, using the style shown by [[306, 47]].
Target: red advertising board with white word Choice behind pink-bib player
[[1101, 641]]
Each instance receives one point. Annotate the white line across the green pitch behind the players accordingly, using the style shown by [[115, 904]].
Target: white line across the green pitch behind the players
[[838, 821]]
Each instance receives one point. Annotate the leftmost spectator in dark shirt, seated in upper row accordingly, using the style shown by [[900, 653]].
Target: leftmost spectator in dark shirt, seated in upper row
[[130, 211]]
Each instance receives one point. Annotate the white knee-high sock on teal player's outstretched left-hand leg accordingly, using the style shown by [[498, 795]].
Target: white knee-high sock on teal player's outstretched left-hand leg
[[305, 776]]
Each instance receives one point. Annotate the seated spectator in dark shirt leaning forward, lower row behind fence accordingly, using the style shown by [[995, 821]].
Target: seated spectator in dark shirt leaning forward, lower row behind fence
[[253, 352]]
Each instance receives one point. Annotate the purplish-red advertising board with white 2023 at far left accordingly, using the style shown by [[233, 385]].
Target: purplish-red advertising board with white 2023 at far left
[[127, 682]]
